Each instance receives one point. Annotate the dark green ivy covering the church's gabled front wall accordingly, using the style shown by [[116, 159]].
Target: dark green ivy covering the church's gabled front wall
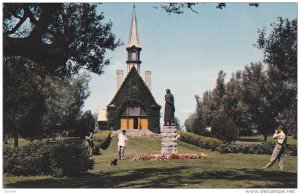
[[139, 94]]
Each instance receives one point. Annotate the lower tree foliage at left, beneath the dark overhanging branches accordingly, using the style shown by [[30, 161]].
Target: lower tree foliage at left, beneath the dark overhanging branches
[[58, 102]]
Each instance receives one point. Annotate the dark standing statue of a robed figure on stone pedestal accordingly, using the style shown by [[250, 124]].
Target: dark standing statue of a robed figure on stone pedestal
[[169, 109]]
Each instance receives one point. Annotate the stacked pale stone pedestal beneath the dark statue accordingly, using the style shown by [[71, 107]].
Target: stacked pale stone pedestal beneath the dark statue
[[168, 139]]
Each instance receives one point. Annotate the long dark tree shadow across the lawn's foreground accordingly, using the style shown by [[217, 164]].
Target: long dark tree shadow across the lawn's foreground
[[163, 178]]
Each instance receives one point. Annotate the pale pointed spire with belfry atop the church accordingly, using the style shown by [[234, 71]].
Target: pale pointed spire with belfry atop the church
[[133, 47]]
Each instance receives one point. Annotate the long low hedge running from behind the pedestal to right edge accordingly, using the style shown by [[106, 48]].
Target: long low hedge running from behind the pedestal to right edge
[[217, 145]]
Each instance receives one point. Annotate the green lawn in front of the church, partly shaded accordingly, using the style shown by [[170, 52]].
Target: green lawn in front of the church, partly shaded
[[216, 171]]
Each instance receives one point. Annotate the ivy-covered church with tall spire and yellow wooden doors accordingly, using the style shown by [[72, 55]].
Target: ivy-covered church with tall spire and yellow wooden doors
[[133, 106]]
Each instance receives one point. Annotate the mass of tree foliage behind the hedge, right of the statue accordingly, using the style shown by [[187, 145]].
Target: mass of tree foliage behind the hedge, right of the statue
[[257, 98]]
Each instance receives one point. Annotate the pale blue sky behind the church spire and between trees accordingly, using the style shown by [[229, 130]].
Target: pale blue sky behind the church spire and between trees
[[185, 52]]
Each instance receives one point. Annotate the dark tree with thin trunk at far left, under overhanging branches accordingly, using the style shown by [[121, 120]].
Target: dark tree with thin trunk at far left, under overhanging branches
[[23, 102]]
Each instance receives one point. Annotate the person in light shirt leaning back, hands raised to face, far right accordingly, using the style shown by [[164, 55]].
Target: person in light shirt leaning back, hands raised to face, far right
[[279, 149]]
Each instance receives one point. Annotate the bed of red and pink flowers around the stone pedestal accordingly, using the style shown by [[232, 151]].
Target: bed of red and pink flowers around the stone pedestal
[[169, 156]]
